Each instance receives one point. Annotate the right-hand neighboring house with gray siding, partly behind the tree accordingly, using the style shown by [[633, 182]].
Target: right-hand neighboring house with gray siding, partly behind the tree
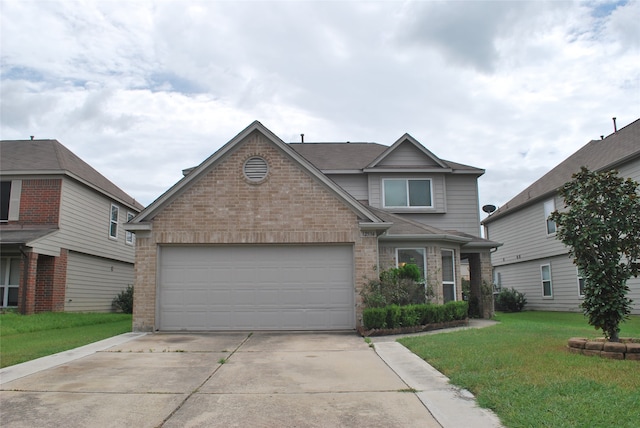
[[532, 260]]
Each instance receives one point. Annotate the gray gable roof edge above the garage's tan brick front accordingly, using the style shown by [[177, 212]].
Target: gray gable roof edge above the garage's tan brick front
[[176, 190]]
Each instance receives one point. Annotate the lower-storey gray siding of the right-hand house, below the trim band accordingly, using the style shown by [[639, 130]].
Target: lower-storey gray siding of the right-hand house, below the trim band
[[526, 278]]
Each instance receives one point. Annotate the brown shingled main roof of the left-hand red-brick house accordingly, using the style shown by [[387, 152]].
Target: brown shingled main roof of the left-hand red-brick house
[[42, 157]]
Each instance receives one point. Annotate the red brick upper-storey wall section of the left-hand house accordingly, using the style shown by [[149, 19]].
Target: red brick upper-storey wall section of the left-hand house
[[40, 201]]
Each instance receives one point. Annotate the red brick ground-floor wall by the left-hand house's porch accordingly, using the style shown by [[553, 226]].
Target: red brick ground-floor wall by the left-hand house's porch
[[51, 282]]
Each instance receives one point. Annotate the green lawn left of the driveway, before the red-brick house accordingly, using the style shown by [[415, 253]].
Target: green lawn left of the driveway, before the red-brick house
[[27, 337]]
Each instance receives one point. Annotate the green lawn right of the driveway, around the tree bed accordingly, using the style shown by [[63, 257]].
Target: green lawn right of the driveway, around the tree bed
[[521, 370]]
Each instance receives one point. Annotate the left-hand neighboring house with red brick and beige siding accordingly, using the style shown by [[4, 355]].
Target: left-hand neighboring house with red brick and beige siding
[[62, 241]]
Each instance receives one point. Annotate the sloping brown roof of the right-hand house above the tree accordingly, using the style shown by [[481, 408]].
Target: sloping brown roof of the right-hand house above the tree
[[597, 155]]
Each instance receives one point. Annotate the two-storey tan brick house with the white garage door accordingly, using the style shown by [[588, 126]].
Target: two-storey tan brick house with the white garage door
[[265, 235]]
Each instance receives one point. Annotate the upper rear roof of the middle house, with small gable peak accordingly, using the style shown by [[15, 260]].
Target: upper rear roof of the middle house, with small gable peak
[[333, 157]]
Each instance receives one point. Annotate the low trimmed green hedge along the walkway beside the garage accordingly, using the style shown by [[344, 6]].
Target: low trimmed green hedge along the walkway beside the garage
[[394, 316]]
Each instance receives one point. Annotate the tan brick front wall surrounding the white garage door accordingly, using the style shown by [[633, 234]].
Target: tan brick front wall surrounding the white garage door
[[223, 207]]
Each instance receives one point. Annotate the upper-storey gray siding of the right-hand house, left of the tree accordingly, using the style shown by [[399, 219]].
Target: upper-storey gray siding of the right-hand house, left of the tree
[[524, 235]]
